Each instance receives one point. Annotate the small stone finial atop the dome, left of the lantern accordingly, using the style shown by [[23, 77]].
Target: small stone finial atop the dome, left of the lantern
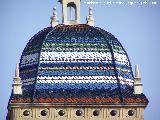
[[54, 19]]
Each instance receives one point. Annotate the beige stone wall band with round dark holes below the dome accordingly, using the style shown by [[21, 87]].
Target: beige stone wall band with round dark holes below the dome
[[77, 113]]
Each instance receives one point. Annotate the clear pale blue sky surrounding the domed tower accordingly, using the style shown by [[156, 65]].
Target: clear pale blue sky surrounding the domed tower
[[137, 27]]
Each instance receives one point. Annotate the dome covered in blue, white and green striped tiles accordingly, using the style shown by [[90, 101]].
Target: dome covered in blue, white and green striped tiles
[[76, 64]]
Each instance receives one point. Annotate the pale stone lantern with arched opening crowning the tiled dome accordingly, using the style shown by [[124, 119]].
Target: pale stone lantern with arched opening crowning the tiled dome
[[70, 11]]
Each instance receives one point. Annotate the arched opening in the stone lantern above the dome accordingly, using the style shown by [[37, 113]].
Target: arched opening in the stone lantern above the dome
[[71, 11]]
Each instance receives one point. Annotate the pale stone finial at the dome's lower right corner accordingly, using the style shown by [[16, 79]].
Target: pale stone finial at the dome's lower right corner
[[137, 81]]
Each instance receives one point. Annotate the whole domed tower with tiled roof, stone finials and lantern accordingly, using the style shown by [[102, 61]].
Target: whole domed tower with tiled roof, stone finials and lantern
[[74, 71]]
